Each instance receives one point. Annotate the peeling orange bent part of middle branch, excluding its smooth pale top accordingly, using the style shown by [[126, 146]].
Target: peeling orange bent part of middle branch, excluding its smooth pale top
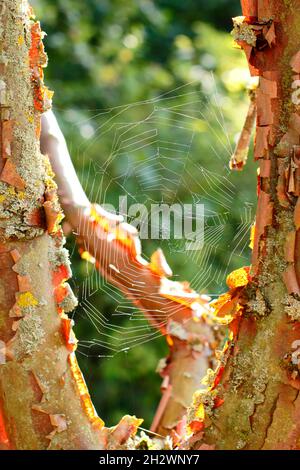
[[172, 307]]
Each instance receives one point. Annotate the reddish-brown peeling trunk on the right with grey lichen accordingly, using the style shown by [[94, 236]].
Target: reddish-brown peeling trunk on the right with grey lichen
[[253, 399]]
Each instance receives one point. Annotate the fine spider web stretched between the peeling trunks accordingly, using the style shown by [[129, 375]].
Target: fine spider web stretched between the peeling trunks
[[164, 156]]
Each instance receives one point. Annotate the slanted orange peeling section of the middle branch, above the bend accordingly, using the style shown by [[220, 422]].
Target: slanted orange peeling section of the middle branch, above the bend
[[159, 297]]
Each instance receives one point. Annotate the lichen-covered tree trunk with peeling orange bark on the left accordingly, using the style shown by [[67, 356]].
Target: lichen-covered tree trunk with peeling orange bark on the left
[[44, 402]]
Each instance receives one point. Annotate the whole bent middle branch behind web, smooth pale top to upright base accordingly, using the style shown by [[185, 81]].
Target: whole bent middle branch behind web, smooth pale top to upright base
[[172, 307]]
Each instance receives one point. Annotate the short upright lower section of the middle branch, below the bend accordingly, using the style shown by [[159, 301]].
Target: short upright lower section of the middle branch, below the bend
[[191, 351]]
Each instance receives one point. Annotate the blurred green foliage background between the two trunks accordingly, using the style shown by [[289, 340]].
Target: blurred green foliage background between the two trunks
[[104, 55]]
